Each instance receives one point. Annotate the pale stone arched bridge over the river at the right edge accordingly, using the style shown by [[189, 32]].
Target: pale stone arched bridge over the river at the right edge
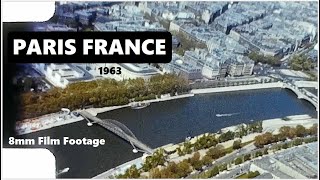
[[302, 94]]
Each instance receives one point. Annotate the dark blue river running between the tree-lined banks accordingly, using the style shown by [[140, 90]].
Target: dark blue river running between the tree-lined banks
[[167, 122]]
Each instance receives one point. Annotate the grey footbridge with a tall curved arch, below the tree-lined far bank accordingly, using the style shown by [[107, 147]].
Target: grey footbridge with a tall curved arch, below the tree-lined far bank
[[119, 129]]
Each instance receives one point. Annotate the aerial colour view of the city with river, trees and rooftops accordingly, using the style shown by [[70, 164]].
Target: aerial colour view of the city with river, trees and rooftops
[[239, 98]]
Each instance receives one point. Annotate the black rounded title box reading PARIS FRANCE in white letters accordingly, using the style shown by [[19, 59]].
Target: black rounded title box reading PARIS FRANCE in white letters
[[158, 46]]
